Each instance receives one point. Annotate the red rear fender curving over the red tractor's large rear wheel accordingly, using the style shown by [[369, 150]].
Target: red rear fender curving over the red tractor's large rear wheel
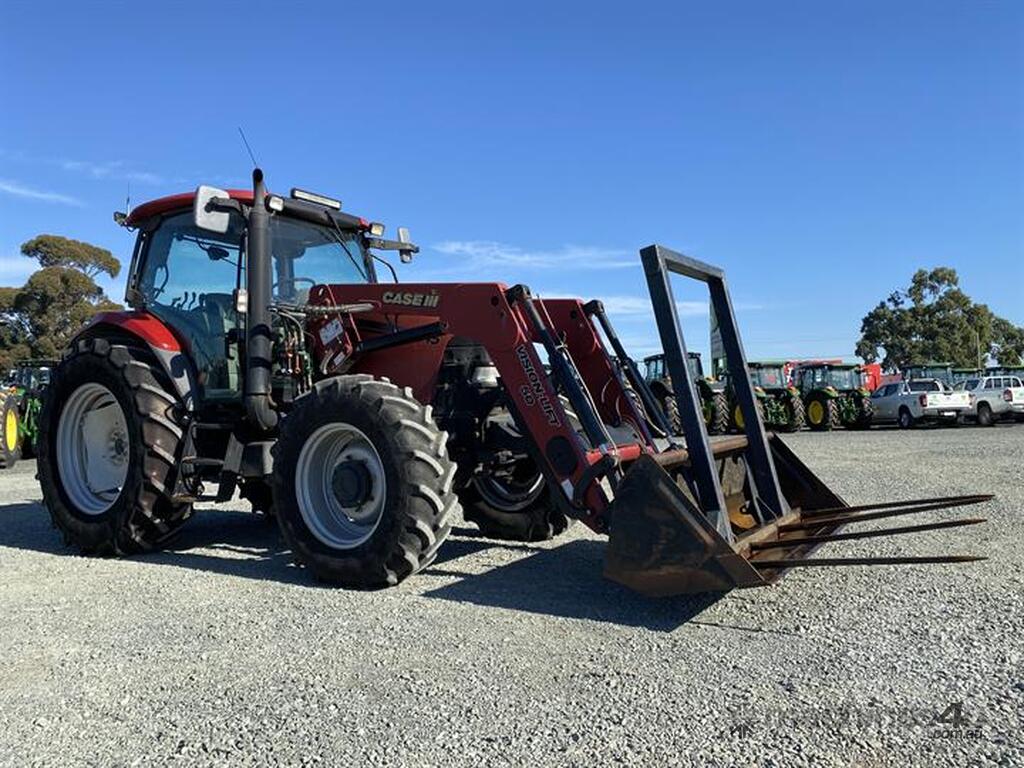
[[151, 331]]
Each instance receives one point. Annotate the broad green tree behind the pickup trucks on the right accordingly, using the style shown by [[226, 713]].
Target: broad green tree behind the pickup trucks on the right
[[934, 320]]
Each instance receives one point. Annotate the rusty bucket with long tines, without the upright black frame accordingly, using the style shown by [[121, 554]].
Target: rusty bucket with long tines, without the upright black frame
[[662, 543]]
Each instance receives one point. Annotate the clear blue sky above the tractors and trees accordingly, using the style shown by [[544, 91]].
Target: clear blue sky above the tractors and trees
[[819, 152]]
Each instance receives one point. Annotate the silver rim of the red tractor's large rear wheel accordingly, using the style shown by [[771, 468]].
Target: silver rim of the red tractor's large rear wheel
[[93, 449]]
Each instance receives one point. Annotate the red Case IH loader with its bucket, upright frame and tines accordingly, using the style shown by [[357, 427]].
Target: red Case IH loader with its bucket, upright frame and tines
[[685, 514]]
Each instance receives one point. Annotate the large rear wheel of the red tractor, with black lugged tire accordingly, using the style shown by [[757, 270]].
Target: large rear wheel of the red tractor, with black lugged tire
[[109, 443]]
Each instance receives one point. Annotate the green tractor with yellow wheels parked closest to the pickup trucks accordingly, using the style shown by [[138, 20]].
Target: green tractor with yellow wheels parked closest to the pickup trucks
[[834, 396]]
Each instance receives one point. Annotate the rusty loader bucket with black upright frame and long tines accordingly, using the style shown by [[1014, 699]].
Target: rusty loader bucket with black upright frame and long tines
[[710, 515]]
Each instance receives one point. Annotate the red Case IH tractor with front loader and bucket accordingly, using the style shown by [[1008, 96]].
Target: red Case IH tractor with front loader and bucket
[[263, 355]]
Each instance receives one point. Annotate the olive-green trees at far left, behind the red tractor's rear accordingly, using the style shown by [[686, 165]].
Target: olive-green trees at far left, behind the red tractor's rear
[[39, 319]]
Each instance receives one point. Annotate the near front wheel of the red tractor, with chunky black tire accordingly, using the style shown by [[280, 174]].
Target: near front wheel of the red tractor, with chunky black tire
[[363, 484]]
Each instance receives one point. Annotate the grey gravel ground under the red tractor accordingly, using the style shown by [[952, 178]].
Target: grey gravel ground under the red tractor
[[222, 653]]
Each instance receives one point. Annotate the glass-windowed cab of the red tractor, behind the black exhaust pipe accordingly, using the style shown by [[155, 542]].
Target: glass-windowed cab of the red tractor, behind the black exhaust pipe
[[194, 278]]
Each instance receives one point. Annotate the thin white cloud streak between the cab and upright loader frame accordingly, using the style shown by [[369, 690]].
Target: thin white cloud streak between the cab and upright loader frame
[[482, 253]]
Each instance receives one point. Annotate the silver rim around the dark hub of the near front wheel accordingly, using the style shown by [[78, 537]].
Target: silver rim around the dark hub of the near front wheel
[[328, 519]]
